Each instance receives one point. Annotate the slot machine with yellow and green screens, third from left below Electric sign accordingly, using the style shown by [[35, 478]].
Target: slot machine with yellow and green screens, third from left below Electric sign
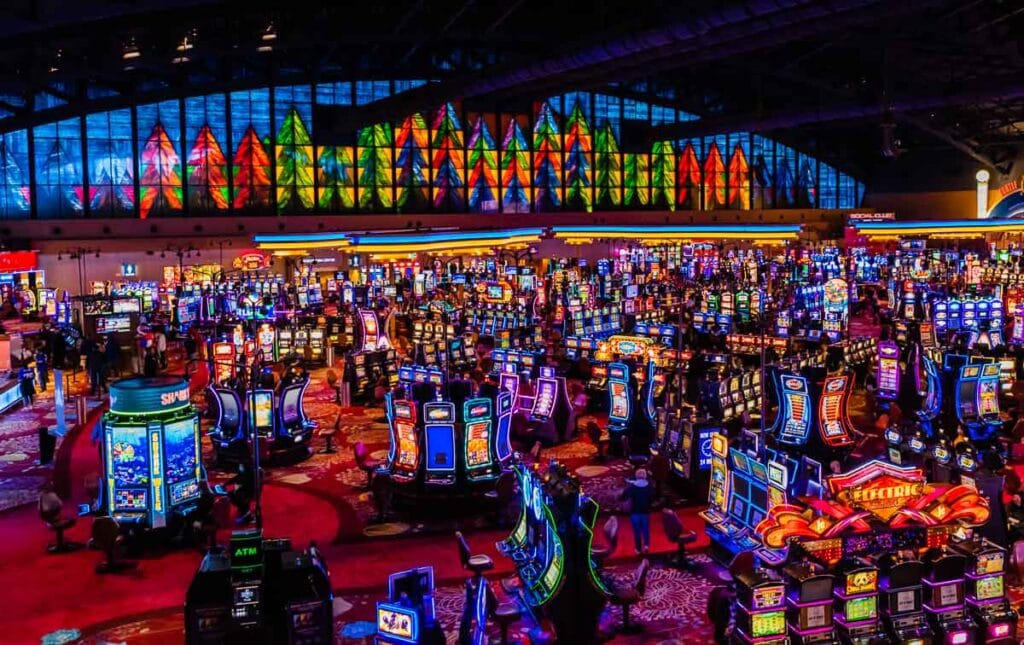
[[858, 601]]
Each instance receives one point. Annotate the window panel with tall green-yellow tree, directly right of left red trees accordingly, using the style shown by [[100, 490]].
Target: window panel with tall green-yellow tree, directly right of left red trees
[[294, 152]]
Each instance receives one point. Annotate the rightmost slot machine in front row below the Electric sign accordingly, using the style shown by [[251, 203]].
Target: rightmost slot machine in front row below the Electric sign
[[987, 599]]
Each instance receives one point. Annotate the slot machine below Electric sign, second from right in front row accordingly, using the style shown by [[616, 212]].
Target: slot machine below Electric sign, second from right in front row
[[945, 606]]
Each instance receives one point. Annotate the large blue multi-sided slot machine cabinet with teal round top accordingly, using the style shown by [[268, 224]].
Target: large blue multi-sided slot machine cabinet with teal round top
[[152, 460]]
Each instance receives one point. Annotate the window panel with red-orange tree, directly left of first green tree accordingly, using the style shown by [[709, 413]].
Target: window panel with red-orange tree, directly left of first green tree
[[251, 166]]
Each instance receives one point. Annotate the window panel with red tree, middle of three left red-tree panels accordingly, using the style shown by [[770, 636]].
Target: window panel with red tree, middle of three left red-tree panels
[[206, 166]]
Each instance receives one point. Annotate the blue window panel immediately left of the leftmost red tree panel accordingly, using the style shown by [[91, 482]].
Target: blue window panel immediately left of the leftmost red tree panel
[[112, 164]]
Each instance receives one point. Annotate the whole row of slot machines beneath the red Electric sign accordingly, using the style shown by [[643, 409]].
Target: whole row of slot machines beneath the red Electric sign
[[955, 594]]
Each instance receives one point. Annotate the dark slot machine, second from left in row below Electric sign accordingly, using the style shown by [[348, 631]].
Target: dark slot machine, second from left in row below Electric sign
[[810, 604]]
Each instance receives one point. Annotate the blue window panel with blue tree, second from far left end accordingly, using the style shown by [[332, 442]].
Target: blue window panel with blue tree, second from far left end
[[59, 169]]
